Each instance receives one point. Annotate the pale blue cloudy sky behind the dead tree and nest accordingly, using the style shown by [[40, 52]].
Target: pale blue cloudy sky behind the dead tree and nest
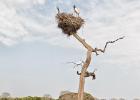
[[34, 53]]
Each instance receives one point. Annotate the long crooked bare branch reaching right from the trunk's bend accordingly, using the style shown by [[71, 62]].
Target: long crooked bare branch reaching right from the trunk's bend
[[103, 50]]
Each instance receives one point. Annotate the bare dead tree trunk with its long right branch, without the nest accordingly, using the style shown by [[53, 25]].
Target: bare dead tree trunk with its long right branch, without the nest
[[90, 50]]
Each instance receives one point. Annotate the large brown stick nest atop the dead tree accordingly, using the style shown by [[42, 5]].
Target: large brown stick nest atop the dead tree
[[69, 23]]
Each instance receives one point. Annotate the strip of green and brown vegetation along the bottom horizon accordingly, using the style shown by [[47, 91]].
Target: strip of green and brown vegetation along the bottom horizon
[[64, 95]]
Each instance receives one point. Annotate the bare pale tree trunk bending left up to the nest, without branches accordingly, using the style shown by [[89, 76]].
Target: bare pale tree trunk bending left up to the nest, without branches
[[84, 67]]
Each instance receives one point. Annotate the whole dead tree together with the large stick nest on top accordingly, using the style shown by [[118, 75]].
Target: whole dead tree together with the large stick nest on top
[[70, 25]]
